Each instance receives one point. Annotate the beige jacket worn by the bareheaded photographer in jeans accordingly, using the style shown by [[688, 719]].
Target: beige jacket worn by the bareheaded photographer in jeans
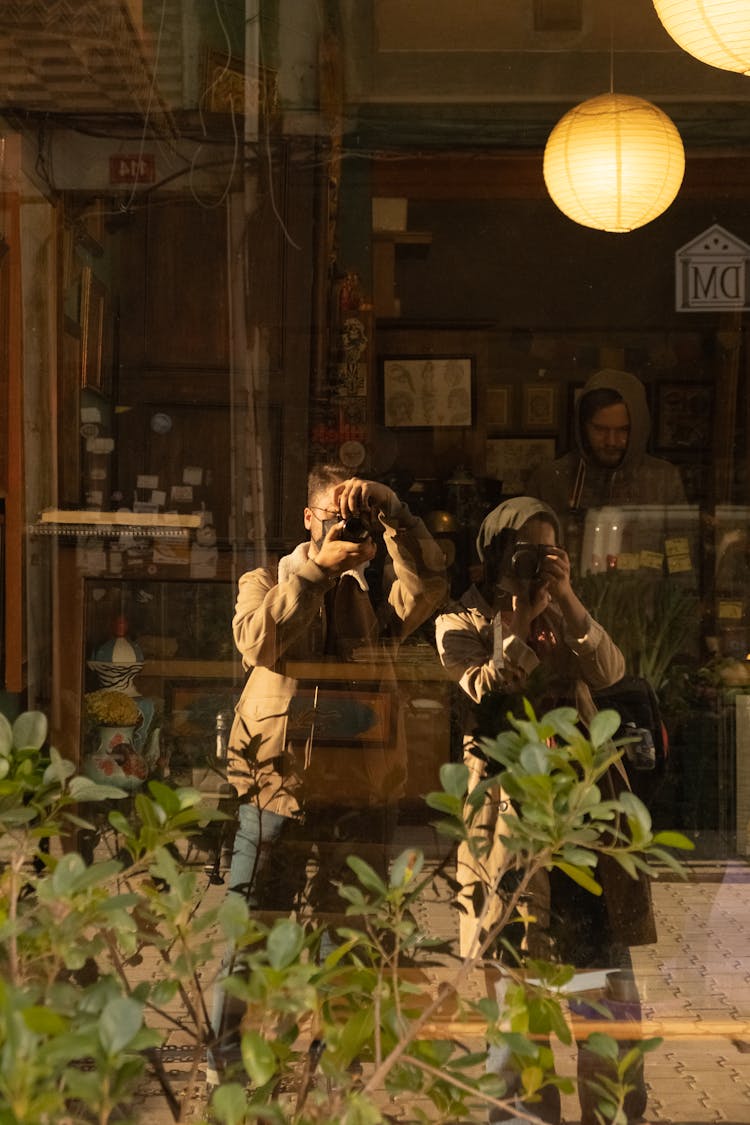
[[330, 722]]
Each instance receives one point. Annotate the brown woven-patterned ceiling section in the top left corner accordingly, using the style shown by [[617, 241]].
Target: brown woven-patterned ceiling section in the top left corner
[[76, 57]]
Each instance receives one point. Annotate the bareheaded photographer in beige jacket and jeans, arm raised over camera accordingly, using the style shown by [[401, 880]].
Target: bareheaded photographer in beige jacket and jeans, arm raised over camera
[[318, 751]]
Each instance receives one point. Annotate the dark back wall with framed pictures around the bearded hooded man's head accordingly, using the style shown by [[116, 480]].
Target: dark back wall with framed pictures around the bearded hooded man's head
[[525, 389]]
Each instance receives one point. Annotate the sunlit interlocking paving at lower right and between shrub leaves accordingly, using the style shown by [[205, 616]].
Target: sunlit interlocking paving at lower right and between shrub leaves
[[695, 986]]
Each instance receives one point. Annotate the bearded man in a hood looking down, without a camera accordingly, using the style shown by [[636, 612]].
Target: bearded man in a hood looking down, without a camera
[[609, 465]]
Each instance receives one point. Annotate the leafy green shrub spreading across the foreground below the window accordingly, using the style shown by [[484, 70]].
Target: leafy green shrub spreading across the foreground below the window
[[75, 1012]]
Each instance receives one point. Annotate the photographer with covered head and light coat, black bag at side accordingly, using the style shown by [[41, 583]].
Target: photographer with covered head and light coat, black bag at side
[[523, 633]]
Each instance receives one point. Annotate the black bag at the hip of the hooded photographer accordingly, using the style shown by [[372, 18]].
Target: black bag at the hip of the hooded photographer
[[636, 703]]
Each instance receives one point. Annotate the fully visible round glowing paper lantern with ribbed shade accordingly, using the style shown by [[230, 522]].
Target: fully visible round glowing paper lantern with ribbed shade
[[615, 163]]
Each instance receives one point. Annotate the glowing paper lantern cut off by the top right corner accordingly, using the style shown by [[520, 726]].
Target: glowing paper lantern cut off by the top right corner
[[717, 32]]
